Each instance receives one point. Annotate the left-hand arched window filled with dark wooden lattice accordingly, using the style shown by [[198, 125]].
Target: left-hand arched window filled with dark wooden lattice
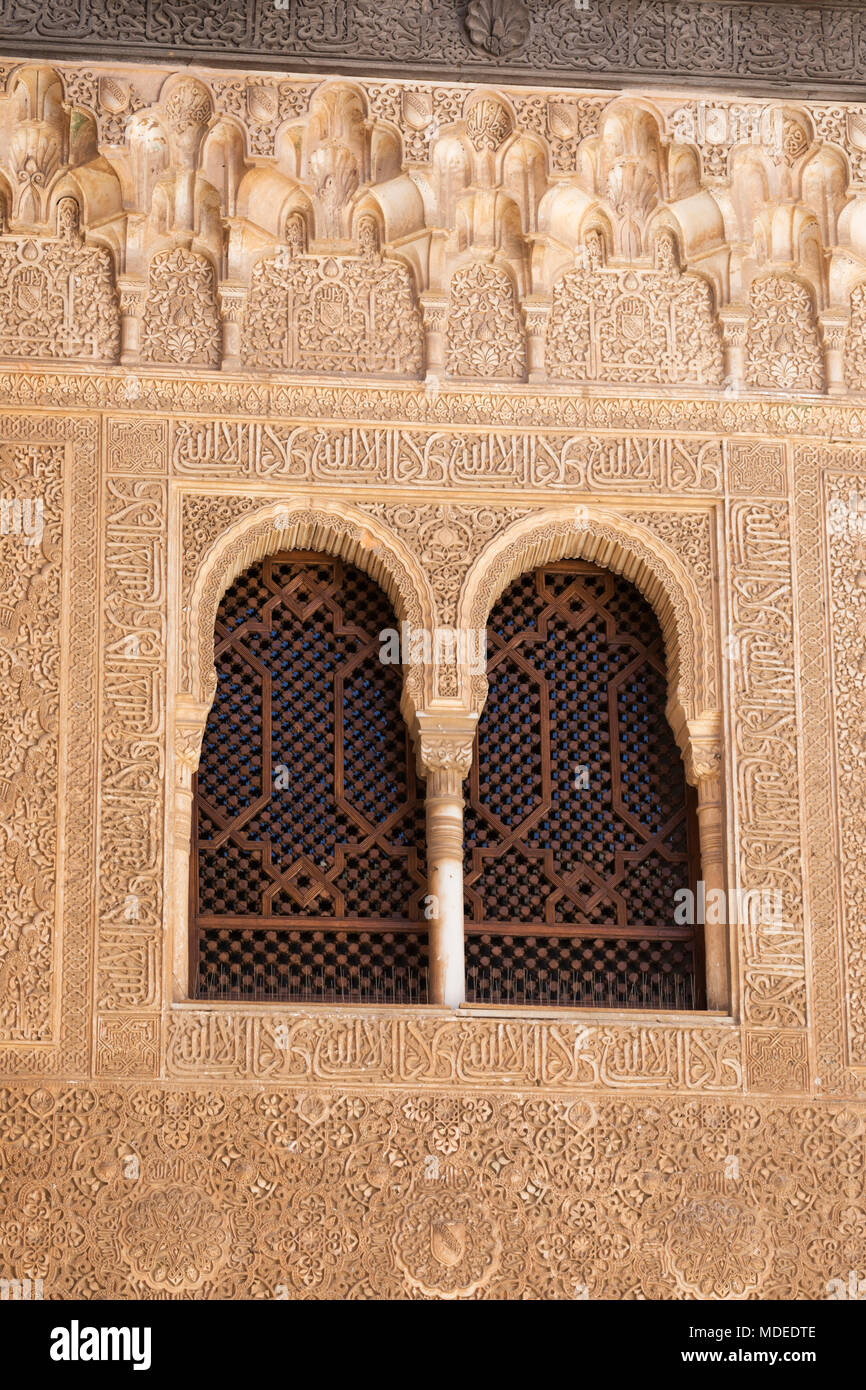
[[308, 858]]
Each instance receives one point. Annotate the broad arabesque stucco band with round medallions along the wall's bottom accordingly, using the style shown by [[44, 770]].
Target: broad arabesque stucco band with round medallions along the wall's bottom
[[140, 1192]]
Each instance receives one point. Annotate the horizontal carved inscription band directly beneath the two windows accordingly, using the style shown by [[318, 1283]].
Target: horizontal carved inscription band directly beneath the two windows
[[472, 1053]]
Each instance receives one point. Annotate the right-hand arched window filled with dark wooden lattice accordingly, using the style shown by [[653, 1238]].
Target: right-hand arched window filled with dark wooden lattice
[[579, 822]]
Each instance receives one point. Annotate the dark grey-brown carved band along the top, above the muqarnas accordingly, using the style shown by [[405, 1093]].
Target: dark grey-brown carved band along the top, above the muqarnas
[[747, 45]]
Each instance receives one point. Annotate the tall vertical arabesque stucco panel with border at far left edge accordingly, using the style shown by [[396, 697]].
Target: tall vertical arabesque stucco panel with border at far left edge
[[51, 667]]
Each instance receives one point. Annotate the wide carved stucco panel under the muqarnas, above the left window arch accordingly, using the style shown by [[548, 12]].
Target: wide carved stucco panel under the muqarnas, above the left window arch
[[333, 313]]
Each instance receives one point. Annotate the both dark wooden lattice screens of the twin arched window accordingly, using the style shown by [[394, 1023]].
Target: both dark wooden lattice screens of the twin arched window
[[308, 876]]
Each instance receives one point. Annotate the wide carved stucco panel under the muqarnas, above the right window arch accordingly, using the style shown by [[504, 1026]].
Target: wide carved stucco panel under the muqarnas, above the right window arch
[[633, 326]]
